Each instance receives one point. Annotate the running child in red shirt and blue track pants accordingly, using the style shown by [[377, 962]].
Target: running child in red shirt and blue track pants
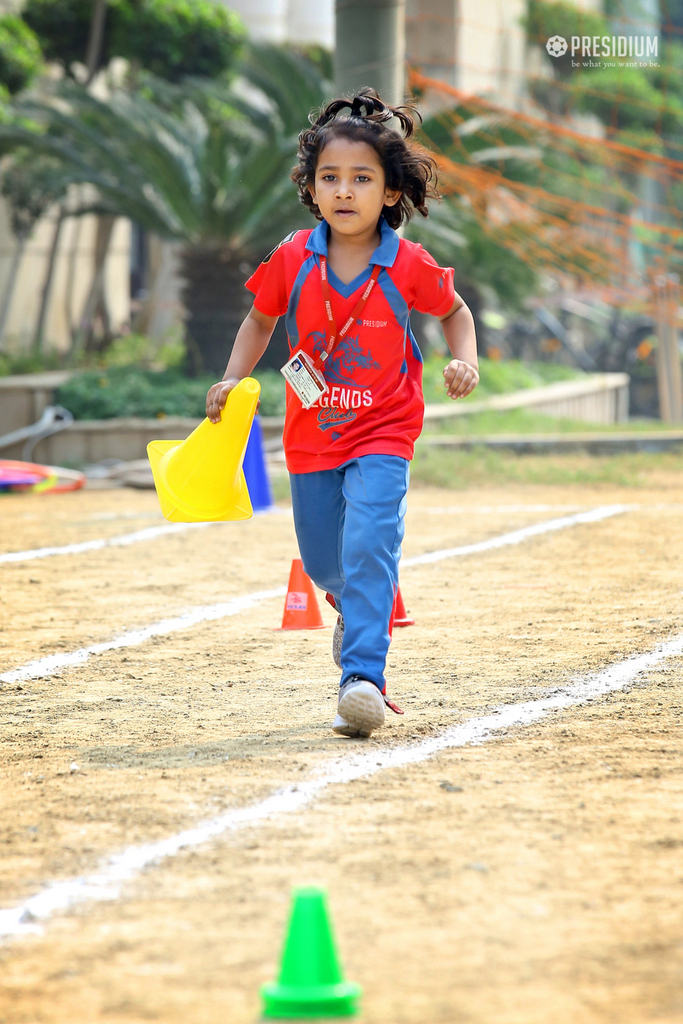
[[348, 289]]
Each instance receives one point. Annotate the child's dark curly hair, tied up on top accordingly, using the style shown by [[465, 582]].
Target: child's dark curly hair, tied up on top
[[409, 169]]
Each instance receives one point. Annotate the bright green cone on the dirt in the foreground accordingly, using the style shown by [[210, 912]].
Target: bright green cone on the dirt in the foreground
[[311, 986]]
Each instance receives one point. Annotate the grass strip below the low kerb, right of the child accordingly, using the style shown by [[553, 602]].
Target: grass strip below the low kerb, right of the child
[[482, 467]]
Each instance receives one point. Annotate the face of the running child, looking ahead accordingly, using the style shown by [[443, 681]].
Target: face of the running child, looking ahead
[[351, 188]]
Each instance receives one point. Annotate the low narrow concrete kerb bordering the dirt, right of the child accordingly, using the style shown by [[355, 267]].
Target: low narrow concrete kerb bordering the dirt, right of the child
[[613, 444]]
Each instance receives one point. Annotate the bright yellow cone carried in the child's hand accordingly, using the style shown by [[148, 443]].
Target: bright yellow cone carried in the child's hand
[[201, 480]]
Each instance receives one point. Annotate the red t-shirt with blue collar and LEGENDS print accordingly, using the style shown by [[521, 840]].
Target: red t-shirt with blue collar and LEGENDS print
[[375, 404]]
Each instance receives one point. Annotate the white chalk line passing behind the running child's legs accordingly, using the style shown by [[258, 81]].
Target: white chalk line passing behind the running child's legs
[[45, 667]]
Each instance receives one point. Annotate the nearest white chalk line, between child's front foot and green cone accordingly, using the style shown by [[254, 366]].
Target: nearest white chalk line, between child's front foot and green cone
[[119, 869]]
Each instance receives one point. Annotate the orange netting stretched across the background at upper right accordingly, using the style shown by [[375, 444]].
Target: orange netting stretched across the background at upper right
[[600, 214]]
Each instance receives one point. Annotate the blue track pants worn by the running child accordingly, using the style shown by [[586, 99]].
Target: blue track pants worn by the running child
[[350, 525]]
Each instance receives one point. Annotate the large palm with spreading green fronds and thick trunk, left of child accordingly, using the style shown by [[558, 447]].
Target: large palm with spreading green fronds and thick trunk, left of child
[[202, 163]]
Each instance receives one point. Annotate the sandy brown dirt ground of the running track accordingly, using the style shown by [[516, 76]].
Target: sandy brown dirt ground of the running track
[[542, 883]]
